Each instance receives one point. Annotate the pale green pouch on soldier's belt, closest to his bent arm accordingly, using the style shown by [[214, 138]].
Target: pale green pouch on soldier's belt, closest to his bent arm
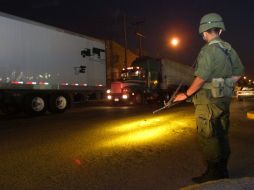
[[217, 88]]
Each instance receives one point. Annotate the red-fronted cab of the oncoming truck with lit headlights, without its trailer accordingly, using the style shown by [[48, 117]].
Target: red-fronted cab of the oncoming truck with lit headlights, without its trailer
[[138, 83]]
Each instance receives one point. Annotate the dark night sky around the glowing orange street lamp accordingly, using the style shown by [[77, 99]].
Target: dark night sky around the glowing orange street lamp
[[162, 19]]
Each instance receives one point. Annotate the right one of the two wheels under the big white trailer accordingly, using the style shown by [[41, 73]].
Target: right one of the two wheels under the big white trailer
[[58, 103]]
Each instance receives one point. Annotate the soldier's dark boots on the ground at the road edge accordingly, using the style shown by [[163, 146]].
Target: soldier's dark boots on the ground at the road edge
[[213, 172]]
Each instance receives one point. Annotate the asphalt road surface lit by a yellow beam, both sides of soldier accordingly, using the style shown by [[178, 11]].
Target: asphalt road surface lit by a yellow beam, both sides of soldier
[[113, 148]]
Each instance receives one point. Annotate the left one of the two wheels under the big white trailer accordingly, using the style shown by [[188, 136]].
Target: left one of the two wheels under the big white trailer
[[35, 105]]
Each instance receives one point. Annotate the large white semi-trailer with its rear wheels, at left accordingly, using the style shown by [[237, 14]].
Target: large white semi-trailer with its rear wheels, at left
[[44, 68]]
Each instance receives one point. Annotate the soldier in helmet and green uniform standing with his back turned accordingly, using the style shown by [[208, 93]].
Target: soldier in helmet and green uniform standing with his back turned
[[218, 68]]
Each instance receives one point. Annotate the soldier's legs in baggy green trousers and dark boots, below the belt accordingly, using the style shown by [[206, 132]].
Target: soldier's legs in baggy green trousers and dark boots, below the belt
[[210, 135]]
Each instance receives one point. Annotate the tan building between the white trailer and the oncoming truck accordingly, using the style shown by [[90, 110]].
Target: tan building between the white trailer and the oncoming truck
[[115, 55]]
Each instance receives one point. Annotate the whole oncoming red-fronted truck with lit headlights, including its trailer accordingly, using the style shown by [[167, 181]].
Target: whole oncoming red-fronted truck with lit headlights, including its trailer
[[149, 80]]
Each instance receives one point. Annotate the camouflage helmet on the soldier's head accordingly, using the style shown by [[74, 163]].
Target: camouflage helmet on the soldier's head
[[209, 21]]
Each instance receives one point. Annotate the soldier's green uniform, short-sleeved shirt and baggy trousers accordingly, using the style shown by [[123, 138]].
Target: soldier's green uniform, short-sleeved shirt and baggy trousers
[[217, 59]]
